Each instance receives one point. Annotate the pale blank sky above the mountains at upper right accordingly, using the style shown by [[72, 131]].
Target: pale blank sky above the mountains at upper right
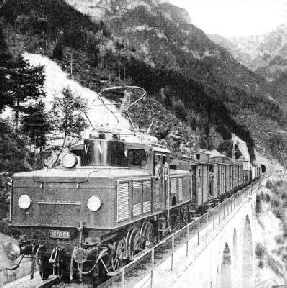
[[235, 17]]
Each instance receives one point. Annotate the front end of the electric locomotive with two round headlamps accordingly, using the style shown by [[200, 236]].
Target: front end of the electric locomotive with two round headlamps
[[51, 208]]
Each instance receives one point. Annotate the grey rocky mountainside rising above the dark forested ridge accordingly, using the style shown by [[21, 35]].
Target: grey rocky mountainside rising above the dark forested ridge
[[164, 36]]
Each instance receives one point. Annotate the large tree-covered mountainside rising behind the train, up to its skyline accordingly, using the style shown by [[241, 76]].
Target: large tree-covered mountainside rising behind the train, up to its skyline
[[182, 70]]
